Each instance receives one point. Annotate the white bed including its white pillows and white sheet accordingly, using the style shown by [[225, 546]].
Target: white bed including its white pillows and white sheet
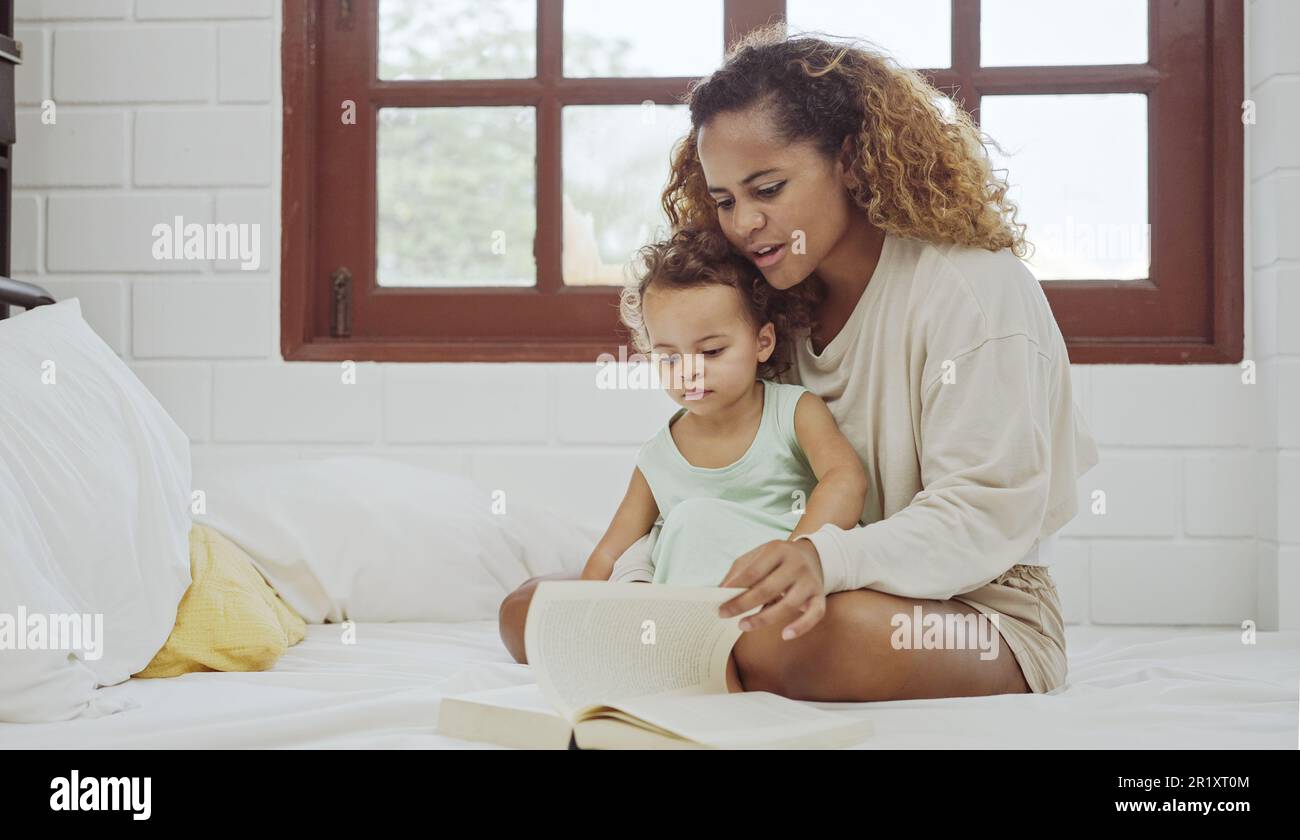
[[379, 543]]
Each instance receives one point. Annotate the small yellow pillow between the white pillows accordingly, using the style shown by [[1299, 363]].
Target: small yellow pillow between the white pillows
[[229, 620]]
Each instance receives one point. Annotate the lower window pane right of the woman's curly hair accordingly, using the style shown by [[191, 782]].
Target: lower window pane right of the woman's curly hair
[[1078, 172]]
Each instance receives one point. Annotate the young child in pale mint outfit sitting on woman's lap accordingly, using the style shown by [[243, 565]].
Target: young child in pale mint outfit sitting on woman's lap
[[747, 460]]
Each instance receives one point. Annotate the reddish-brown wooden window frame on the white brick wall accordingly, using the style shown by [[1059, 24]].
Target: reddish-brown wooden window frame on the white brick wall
[[1189, 311]]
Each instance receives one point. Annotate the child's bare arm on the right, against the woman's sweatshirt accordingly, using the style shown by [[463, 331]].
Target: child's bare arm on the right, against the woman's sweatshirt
[[842, 483]]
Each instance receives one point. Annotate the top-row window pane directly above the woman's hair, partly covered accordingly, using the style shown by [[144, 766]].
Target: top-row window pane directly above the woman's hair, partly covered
[[917, 33]]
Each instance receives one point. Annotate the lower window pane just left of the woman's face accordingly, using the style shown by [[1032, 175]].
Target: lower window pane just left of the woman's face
[[616, 168]]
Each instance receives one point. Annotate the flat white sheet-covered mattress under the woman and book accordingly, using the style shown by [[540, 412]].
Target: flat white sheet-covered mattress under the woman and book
[[1128, 689]]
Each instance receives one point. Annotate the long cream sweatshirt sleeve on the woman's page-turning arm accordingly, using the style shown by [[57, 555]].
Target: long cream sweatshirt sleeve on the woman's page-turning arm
[[985, 470]]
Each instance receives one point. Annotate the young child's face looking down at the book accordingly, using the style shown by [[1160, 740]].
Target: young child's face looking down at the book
[[709, 352]]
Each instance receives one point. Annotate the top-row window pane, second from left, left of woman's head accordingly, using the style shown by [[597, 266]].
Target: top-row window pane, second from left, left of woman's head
[[662, 38]]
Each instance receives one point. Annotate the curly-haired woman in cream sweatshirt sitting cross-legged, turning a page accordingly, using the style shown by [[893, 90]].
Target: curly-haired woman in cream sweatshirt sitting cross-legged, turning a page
[[839, 175]]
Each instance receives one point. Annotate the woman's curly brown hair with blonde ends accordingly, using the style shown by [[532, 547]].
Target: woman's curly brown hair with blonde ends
[[916, 171]]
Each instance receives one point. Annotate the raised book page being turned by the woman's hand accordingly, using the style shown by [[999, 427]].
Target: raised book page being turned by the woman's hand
[[592, 643]]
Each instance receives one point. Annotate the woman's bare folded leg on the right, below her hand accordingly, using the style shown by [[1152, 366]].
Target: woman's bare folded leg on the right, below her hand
[[850, 656]]
